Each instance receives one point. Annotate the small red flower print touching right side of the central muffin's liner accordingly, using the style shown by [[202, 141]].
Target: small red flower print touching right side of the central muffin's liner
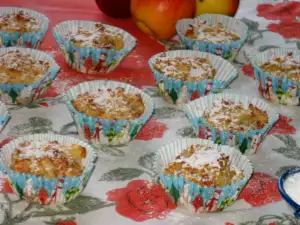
[[152, 129]]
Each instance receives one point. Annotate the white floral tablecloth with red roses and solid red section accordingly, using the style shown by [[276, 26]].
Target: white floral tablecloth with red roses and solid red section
[[120, 191]]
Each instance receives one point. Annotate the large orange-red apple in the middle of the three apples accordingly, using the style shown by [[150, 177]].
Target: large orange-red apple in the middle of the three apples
[[158, 18]]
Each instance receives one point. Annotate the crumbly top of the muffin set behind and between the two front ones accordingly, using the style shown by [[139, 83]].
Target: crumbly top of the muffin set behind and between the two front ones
[[110, 104]]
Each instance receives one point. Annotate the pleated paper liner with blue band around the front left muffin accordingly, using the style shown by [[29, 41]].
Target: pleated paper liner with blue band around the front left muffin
[[39, 190]]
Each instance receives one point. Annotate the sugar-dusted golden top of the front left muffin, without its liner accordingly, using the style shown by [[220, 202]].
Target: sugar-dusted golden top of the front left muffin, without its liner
[[48, 159]]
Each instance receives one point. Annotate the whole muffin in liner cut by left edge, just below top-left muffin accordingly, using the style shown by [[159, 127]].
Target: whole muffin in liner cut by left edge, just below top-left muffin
[[25, 74]]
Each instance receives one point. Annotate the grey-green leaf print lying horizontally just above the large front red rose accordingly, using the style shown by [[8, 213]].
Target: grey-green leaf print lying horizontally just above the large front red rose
[[121, 174]]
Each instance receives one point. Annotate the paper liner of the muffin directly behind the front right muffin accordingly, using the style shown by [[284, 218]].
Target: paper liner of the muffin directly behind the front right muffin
[[248, 141]]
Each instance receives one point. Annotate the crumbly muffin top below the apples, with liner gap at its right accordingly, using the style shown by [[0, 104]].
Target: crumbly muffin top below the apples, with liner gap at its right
[[185, 68]]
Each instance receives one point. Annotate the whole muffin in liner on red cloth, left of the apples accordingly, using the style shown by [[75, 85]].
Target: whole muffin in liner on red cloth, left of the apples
[[92, 47]]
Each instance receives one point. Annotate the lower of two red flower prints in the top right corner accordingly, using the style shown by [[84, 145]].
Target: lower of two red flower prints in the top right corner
[[286, 29]]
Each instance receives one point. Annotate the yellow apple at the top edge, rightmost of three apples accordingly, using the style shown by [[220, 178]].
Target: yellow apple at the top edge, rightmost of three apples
[[225, 7]]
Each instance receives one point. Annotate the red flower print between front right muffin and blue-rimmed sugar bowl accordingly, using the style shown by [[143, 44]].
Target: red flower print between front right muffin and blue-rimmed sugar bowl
[[261, 190]]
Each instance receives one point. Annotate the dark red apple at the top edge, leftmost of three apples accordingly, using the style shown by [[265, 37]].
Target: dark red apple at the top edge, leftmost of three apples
[[115, 8]]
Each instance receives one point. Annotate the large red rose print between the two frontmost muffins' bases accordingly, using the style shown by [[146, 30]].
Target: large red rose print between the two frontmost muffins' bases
[[141, 201]]
